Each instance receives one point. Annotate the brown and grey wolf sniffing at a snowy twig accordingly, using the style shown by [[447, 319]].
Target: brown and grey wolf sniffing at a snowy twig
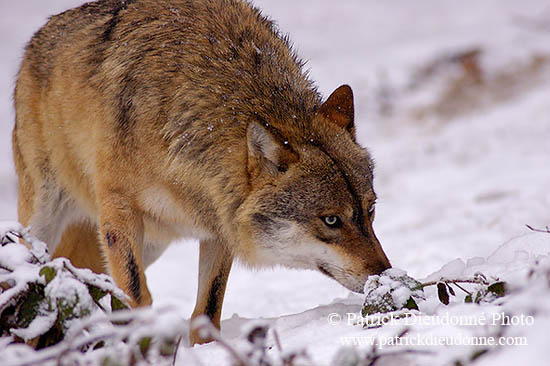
[[140, 122]]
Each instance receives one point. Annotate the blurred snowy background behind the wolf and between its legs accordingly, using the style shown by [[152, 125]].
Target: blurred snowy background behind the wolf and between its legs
[[452, 99]]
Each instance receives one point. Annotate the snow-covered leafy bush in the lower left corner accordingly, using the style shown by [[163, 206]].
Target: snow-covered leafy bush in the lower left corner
[[66, 313]]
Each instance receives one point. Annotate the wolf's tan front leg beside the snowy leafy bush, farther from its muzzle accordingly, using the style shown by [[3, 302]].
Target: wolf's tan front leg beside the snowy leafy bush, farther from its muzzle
[[121, 230]]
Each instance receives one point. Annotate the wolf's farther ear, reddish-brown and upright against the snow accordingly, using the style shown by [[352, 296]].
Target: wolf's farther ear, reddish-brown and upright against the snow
[[338, 108]]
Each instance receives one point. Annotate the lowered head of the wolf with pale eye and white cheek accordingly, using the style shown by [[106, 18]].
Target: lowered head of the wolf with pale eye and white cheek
[[312, 202]]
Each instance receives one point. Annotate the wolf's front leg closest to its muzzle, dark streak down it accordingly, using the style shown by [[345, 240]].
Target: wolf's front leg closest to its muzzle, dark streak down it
[[215, 262]]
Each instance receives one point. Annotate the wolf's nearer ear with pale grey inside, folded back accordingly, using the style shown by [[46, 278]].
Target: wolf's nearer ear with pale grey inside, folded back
[[266, 154]]
